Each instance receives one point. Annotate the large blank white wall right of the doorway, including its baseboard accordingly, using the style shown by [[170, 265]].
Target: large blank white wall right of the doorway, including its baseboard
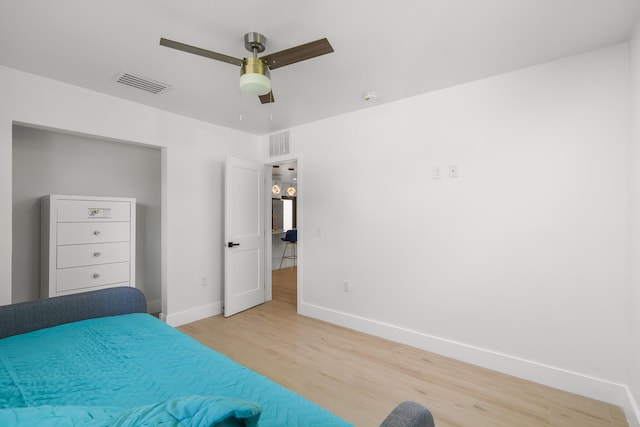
[[520, 263]]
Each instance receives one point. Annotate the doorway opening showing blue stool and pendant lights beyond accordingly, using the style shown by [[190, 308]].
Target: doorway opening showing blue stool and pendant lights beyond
[[284, 228]]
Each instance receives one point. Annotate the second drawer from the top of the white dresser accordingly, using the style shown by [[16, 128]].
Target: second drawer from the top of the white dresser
[[76, 233]]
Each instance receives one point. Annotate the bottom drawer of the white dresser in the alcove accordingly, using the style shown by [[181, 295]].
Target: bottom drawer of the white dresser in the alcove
[[69, 279]]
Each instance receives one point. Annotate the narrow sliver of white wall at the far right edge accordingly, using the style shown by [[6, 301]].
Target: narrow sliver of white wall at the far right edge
[[634, 195]]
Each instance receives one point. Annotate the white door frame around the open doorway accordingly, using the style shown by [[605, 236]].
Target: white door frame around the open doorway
[[268, 289]]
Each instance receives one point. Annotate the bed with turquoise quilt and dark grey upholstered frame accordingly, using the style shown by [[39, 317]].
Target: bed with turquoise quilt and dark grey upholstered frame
[[98, 359]]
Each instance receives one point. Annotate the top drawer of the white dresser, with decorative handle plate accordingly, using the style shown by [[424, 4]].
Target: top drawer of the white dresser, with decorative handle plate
[[93, 211]]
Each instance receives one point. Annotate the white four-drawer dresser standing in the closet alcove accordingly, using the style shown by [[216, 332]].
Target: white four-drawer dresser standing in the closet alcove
[[88, 243]]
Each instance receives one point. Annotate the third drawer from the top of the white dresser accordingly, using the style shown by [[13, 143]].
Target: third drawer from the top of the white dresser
[[99, 253]]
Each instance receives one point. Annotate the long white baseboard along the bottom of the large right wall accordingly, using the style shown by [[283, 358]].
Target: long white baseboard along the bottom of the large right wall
[[595, 388]]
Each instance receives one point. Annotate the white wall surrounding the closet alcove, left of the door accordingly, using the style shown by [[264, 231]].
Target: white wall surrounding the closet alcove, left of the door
[[193, 158]]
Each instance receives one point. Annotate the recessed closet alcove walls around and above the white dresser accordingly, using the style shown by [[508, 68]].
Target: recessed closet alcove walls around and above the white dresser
[[53, 162]]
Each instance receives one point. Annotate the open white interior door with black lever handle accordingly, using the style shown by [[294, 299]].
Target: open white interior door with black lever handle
[[244, 235]]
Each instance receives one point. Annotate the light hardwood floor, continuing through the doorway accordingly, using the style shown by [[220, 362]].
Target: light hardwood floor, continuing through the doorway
[[361, 378]]
